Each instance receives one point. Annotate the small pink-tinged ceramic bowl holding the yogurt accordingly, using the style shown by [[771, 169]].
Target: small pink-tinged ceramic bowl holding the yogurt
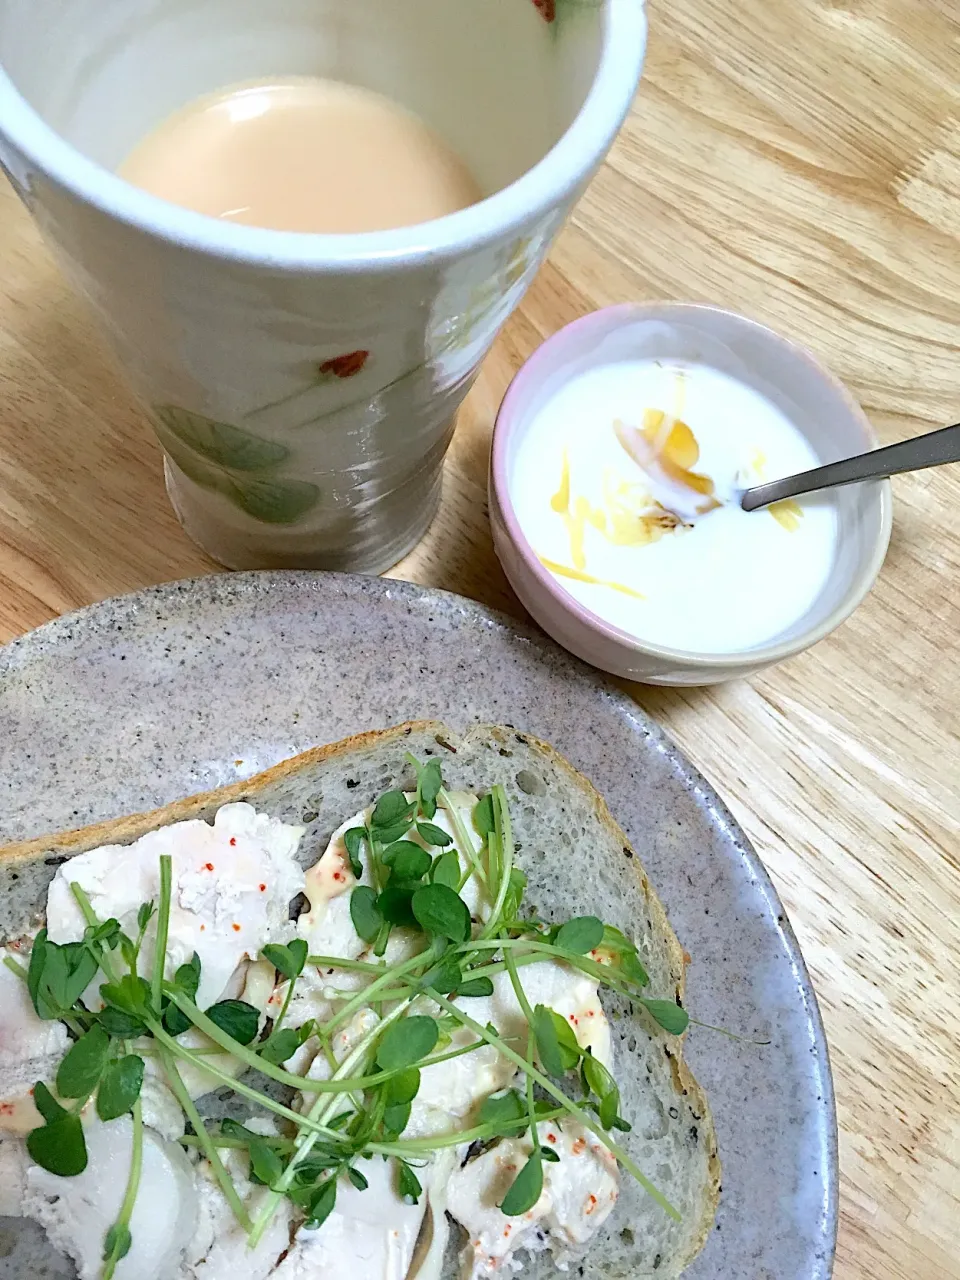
[[816, 403]]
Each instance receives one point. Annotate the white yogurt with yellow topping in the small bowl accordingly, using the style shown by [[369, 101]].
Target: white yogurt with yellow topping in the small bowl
[[607, 528]]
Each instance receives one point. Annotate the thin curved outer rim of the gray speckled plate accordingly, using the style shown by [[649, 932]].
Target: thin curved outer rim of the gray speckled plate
[[118, 609]]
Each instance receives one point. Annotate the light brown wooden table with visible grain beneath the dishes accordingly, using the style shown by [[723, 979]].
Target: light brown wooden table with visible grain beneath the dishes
[[798, 161]]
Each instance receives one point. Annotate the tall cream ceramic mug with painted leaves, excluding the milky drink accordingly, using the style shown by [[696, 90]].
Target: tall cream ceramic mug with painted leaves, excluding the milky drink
[[305, 387]]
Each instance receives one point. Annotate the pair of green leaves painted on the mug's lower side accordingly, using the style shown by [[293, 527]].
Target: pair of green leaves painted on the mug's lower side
[[235, 463]]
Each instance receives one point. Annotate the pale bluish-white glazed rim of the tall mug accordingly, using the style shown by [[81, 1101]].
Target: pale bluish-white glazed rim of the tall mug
[[548, 184]]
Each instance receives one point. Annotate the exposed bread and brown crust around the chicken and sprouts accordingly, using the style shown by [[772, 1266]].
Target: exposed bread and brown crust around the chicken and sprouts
[[578, 861]]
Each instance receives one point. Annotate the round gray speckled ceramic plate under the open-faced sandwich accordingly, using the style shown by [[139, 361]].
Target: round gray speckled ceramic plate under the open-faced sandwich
[[138, 702]]
